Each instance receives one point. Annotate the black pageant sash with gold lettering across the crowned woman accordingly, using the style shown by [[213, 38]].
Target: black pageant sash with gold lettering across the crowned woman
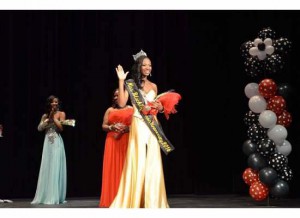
[[138, 100]]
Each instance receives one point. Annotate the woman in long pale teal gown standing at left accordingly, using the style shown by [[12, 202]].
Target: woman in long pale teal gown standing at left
[[52, 180]]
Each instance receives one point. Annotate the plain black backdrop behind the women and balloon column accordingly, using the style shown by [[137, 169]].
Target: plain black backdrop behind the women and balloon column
[[73, 54]]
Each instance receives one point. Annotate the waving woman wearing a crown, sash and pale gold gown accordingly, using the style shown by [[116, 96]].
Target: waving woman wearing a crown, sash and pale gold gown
[[142, 182]]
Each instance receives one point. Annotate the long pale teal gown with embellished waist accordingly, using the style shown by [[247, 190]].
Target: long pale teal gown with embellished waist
[[52, 181]]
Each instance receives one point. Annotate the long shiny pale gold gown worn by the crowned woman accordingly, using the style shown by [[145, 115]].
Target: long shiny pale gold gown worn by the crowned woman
[[142, 182]]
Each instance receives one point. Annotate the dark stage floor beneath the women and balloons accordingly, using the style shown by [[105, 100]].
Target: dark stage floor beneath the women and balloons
[[178, 201]]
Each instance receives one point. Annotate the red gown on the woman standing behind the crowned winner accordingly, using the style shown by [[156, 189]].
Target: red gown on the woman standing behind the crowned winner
[[114, 156]]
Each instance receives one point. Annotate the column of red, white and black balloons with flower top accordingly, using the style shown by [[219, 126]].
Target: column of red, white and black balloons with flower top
[[268, 118]]
